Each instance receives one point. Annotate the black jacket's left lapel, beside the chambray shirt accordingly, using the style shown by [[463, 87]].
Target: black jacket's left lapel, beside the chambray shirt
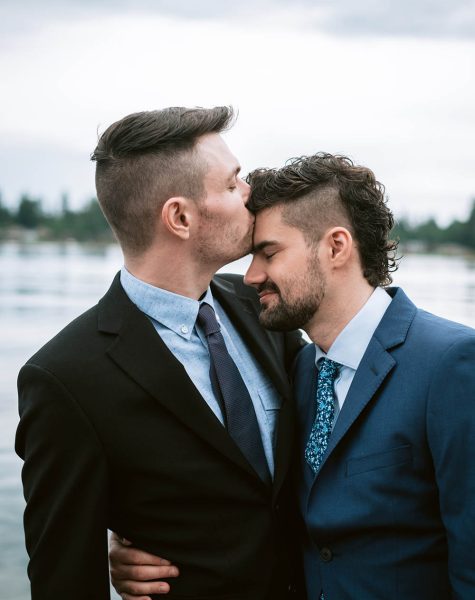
[[141, 353]]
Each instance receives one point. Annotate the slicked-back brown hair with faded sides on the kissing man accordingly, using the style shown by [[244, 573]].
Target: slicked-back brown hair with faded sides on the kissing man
[[146, 158]]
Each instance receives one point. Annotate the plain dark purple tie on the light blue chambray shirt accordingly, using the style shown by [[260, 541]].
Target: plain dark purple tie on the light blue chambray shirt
[[229, 387]]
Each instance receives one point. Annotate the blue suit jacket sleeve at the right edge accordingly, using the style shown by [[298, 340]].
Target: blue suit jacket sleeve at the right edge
[[451, 436]]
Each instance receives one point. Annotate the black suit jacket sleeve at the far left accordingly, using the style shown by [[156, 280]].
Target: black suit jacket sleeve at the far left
[[65, 486]]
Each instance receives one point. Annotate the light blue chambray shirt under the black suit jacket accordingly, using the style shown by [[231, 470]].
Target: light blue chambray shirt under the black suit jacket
[[174, 318]]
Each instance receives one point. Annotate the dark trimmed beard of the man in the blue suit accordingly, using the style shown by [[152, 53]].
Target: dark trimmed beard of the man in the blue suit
[[297, 304]]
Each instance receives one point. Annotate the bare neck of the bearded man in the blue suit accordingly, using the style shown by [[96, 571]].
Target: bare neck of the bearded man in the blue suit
[[336, 310]]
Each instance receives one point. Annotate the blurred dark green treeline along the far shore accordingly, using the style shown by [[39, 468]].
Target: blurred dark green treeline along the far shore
[[89, 224]]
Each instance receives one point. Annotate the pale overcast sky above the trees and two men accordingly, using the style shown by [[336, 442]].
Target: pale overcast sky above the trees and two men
[[391, 84]]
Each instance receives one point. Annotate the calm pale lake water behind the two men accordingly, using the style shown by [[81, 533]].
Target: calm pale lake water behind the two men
[[44, 286]]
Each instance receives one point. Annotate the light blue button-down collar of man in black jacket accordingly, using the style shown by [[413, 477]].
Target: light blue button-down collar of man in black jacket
[[177, 313]]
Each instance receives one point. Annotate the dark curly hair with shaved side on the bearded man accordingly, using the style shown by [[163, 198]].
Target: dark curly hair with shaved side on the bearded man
[[326, 190]]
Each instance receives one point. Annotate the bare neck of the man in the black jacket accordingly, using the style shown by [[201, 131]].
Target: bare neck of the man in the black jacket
[[172, 271]]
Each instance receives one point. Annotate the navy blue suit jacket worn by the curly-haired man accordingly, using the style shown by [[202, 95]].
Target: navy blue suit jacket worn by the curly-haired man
[[391, 513]]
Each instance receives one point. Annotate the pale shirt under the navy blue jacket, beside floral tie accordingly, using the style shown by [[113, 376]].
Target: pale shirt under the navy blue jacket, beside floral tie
[[351, 343]]
